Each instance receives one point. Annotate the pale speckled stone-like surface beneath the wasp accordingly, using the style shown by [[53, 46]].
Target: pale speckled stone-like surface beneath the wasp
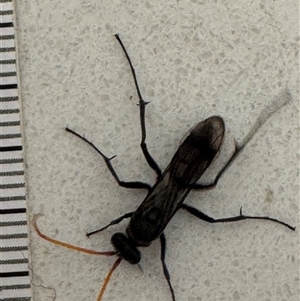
[[193, 59]]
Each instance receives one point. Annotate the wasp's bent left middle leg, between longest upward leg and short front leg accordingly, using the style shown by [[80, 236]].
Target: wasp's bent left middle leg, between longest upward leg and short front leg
[[133, 184]]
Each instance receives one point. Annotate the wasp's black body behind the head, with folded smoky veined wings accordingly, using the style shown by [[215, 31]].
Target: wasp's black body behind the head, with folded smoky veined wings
[[190, 161]]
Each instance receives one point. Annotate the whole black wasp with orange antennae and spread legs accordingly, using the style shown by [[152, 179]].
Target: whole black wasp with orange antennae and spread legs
[[190, 161]]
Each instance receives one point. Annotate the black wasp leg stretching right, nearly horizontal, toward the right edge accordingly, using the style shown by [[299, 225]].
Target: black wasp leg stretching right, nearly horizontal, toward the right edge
[[236, 218]]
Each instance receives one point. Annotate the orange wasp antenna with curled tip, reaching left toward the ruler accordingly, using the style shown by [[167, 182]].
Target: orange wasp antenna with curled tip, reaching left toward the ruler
[[66, 245]]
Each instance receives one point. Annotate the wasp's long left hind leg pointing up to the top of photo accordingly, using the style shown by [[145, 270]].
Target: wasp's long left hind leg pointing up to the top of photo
[[142, 105]]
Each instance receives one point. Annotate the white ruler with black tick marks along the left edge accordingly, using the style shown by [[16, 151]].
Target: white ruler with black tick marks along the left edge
[[14, 273]]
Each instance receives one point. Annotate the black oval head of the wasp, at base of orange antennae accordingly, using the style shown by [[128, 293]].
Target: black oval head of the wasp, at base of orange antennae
[[125, 248]]
